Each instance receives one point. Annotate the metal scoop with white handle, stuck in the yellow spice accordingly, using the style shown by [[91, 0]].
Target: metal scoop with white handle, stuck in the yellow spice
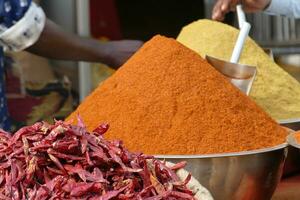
[[242, 76]]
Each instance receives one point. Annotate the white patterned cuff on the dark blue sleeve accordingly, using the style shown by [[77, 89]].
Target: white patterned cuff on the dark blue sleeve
[[26, 31]]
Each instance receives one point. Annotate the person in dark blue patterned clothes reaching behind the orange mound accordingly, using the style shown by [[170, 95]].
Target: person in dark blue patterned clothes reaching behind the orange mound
[[24, 26]]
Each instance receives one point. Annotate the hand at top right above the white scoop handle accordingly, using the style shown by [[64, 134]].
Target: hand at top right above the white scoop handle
[[222, 7]]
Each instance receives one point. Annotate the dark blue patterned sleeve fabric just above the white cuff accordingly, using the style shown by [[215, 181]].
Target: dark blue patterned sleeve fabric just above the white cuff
[[12, 11]]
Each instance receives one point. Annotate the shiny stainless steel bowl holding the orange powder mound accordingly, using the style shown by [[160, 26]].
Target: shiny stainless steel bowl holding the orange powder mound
[[234, 176]]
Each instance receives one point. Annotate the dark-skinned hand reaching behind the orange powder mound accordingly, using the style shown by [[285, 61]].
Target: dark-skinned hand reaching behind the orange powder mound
[[118, 52]]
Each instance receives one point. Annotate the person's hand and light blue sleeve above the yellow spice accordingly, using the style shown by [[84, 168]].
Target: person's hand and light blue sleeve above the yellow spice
[[289, 8]]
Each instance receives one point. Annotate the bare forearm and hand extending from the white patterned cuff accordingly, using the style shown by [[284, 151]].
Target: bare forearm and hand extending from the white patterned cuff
[[55, 43]]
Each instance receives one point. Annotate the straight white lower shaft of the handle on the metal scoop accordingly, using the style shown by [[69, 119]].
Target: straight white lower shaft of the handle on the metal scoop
[[240, 43]]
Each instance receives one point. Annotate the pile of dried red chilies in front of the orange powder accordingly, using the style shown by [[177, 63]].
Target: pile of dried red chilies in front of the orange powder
[[63, 161]]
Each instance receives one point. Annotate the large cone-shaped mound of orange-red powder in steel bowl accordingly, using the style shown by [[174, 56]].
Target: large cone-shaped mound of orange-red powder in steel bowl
[[168, 100]]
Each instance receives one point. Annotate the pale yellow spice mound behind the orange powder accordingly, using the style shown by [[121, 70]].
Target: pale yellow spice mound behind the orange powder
[[274, 89]]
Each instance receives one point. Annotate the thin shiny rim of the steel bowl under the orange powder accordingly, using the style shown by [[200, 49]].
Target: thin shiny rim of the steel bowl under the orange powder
[[219, 155]]
